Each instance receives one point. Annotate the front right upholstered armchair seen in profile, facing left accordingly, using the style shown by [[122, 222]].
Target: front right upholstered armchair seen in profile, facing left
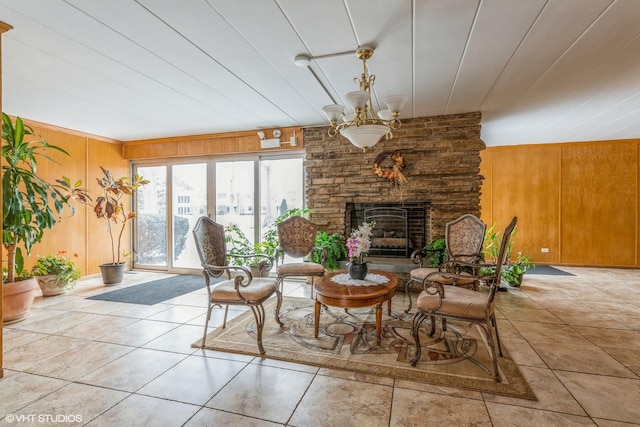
[[459, 303]]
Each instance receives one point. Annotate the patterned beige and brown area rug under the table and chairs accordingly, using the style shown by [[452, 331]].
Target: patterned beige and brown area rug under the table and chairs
[[347, 340]]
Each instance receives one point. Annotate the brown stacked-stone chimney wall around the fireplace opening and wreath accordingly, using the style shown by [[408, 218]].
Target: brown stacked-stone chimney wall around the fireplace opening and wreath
[[441, 163]]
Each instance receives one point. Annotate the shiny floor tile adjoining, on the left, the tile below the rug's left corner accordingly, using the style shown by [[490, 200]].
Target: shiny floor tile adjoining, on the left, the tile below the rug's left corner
[[133, 370]]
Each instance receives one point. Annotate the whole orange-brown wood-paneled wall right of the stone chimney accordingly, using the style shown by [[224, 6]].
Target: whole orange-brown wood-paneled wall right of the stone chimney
[[579, 200]]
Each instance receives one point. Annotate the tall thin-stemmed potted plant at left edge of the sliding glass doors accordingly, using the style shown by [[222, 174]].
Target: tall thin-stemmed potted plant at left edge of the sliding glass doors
[[109, 207]]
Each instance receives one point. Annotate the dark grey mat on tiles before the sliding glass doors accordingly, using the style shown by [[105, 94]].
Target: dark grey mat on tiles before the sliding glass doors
[[150, 293]]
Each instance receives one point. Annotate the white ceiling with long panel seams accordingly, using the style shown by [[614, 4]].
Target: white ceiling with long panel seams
[[539, 70]]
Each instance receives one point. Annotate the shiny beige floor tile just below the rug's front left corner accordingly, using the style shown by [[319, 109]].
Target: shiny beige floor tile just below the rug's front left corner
[[195, 380]]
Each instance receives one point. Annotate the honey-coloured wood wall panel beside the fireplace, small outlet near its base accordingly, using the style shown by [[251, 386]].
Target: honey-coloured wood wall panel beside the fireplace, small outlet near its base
[[525, 183]]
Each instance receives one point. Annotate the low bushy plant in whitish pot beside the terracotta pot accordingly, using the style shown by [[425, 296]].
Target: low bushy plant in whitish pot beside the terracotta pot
[[55, 273]]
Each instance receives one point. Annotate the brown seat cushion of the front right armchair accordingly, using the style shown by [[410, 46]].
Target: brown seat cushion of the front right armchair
[[457, 302]]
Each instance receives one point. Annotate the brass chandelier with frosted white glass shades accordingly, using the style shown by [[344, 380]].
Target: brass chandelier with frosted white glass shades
[[364, 127]]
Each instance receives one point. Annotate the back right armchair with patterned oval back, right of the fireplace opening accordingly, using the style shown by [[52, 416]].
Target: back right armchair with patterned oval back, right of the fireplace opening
[[464, 237]]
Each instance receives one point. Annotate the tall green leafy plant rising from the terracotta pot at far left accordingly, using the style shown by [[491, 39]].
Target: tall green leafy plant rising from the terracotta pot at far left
[[30, 204]]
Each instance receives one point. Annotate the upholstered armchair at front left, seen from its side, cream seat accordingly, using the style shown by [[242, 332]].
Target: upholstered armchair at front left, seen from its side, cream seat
[[238, 286]]
